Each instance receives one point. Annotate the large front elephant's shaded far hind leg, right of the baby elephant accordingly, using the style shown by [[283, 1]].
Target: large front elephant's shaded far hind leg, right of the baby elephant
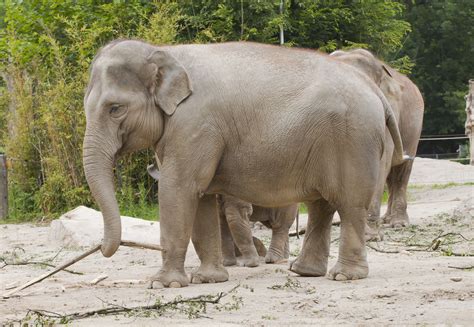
[[313, 259]]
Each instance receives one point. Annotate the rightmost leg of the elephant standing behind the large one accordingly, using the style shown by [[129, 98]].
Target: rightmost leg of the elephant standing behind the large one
[[397, 185]]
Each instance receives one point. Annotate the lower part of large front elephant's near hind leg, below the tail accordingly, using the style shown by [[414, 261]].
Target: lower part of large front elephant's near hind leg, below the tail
[[352, 260]]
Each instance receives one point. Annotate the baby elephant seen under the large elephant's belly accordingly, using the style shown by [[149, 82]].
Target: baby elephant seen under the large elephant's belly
[[235, 215]]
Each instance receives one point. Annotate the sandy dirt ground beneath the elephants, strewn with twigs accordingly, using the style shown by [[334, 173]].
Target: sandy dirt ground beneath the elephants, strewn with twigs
[[421, 280]]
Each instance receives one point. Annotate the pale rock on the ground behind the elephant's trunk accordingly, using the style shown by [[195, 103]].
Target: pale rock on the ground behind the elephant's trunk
[[84, 227]]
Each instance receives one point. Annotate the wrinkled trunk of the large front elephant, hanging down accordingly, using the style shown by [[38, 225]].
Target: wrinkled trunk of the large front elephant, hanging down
[[98, 168]]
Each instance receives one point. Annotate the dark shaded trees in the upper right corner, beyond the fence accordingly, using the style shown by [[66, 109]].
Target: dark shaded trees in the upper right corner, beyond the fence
[[442, 47]]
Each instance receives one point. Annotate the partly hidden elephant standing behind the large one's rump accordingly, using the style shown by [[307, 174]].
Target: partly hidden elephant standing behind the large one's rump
[[408, 107]]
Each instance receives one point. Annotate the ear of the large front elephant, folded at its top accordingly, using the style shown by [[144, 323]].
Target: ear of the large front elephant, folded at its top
[[170, 85]]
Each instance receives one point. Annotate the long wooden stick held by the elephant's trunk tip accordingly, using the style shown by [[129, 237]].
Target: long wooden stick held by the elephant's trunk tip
[[78, 258]]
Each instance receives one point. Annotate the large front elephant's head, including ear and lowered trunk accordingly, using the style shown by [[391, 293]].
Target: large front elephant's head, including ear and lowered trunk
[[132, 86]]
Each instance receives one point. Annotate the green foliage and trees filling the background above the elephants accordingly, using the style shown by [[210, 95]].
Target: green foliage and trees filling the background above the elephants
[[46, 47]]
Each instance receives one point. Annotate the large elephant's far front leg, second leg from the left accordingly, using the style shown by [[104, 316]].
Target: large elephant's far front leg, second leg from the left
[[206, 240]]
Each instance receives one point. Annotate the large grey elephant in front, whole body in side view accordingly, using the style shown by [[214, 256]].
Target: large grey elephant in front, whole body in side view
[[224, 119]]
